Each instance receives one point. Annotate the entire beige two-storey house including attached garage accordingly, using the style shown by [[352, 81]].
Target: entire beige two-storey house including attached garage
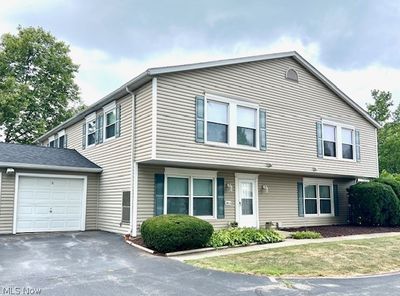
[[254, 140]]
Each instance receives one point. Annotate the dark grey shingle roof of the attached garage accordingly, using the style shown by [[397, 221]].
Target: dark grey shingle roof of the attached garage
[[40, 157]]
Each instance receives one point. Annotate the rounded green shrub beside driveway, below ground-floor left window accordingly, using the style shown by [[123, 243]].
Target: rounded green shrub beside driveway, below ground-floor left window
[[169, 233]]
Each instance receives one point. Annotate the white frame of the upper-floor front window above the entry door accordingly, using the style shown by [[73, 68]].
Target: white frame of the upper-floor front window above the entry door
[[232, 122]]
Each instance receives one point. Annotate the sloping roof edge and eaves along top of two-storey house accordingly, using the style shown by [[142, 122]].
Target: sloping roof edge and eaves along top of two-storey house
[[146, 76]]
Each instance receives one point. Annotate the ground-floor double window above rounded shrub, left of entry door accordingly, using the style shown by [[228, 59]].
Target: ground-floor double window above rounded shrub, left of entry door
[[190, 193]]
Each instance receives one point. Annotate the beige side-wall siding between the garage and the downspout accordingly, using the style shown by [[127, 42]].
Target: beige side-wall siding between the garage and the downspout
[[114, 156]]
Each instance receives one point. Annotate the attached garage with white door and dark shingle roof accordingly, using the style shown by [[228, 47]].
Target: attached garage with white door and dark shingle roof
[[45, 189]]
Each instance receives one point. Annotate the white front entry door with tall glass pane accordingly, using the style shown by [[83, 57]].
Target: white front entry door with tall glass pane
[[246, 198]]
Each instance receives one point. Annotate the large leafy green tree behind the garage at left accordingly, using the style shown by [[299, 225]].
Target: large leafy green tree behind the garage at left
[[37, 88]]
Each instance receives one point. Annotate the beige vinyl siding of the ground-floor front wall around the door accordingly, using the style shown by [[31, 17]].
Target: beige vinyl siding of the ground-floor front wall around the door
[[278, 205]]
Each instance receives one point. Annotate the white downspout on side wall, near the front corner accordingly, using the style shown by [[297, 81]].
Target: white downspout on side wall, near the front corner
[[134, 171]]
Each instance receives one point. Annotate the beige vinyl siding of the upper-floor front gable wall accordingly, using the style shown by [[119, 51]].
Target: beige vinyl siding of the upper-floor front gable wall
[[292, 112]]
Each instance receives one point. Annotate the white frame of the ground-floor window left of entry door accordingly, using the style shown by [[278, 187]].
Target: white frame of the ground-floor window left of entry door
[[190, 175]]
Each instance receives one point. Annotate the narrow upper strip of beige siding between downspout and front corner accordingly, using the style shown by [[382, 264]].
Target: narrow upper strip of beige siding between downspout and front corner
[[143, 123]]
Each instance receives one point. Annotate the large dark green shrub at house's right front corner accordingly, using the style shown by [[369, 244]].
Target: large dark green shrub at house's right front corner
[[373, 204]]
